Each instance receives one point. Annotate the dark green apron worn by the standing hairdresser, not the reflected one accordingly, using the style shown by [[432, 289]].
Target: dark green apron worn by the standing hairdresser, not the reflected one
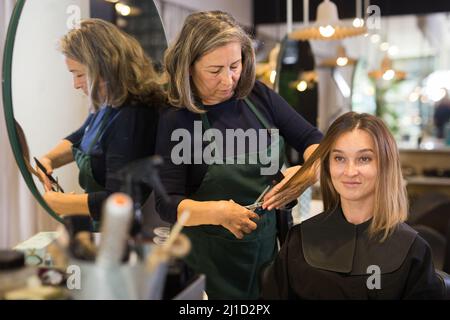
[[233, 266]]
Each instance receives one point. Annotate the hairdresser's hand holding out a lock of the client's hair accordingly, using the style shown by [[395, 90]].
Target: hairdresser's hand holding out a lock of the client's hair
[[288, 189]]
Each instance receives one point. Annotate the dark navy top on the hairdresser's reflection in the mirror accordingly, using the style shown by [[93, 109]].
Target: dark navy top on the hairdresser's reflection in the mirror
[[129, 135]]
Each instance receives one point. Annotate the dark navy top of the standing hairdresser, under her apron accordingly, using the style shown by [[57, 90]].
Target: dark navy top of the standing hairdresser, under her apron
[[183, 180]]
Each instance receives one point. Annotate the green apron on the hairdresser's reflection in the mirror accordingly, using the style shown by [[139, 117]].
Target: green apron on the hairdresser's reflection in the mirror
[[83, 160]]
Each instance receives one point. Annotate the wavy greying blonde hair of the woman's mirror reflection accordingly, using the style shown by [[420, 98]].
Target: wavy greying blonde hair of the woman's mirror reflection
[[115, 58]]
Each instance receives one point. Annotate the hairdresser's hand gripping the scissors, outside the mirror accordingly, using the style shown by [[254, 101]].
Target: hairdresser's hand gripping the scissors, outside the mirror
[[236, 218]]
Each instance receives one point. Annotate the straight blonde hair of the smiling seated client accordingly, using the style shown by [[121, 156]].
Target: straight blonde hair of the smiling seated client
[[391, 204]]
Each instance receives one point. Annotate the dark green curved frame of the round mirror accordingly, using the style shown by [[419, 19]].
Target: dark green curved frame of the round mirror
[[8, 108]]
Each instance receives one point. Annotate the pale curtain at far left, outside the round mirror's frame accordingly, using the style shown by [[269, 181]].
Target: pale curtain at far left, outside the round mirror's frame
[[20, 214]]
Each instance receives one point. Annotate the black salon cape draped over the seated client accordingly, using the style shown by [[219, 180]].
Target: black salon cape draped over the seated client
[[326, 257]]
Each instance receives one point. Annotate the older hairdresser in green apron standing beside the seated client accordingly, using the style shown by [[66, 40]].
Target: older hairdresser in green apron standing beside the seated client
[[216, 101]]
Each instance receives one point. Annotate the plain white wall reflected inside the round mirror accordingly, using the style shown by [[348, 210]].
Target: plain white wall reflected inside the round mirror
[[45, 103]]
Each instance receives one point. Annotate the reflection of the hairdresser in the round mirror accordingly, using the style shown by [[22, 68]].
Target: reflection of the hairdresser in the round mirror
[[111, 68]]
